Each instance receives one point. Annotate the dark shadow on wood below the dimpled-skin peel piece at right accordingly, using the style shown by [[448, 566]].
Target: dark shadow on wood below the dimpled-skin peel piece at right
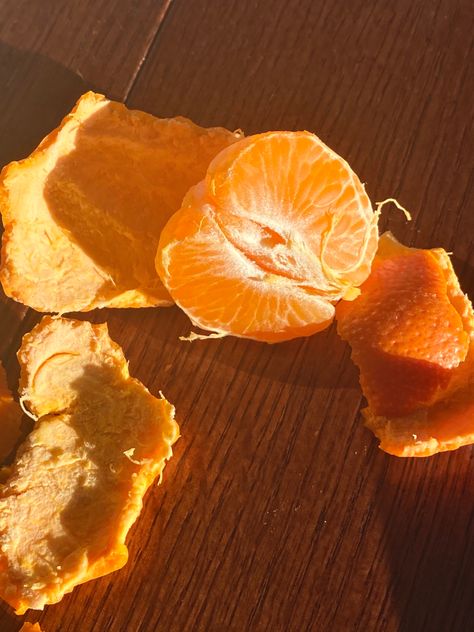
[[427, 509]]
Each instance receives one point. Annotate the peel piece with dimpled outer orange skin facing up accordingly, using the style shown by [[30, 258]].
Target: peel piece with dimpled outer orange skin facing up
[[412, 336]]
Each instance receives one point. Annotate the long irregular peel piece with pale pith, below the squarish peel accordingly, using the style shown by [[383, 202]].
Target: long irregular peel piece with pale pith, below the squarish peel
[[79, 478]]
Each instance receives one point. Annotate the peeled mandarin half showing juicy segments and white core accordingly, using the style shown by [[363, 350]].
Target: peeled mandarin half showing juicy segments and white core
[[278, 231]]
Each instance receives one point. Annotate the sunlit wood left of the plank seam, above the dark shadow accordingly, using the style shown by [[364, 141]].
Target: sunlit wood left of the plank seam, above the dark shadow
[[104, 43]]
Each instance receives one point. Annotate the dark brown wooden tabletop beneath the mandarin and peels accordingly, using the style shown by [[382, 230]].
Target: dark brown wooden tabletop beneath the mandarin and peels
[[278, 512]]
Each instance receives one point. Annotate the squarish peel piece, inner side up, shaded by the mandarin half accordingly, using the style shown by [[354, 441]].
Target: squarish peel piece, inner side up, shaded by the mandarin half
[[83, 213]]
